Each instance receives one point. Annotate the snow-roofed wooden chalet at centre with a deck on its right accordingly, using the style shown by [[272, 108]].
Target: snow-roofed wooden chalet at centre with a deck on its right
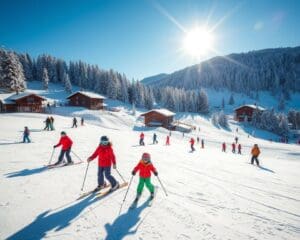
[[158, 118]]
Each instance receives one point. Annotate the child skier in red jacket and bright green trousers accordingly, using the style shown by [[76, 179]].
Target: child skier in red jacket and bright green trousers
[[145, 167]]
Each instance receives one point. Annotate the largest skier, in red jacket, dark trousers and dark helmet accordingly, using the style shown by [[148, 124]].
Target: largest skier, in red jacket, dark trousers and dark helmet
[[106, 158]]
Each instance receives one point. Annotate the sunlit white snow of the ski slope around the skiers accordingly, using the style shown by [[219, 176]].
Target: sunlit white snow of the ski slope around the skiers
[[212, 195]]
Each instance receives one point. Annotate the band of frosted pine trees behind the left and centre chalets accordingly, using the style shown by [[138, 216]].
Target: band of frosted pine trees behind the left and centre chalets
[[17, 69]]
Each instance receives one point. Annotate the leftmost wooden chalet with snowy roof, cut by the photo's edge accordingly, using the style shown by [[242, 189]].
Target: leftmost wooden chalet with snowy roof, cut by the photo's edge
[[23, 102]]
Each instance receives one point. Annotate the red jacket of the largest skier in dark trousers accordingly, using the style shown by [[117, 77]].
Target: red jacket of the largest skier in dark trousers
[[106, 156]]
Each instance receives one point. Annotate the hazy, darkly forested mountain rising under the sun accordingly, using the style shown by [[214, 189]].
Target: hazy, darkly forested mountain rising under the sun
[[275, 70]]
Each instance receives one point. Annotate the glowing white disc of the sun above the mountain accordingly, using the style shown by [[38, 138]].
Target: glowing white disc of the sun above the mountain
[[198, 42]]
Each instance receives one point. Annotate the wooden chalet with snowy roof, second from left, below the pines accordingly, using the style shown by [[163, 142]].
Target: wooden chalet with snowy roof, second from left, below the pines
[[87, 99]]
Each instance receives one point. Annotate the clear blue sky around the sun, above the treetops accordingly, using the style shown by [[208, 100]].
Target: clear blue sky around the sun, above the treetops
[[144, 37]]
